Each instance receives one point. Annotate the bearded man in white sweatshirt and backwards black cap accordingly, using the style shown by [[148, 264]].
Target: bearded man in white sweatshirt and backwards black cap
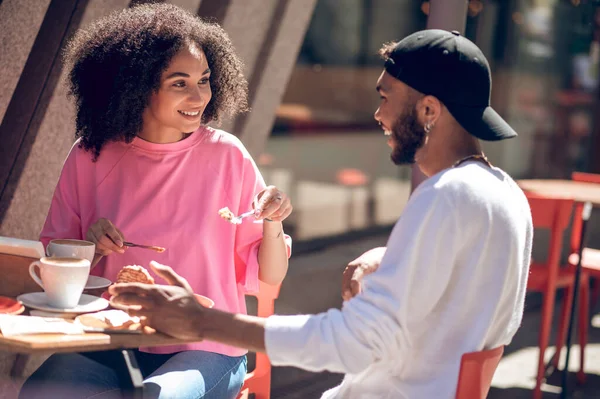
[[453, 277]]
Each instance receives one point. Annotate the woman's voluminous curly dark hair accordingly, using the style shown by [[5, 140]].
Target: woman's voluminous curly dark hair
[[117, 62]]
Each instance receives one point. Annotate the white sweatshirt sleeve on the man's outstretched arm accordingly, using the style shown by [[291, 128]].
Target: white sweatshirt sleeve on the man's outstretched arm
[[377, 324]]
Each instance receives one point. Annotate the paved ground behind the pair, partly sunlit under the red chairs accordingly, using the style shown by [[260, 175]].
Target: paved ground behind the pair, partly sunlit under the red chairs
[[313, 285]]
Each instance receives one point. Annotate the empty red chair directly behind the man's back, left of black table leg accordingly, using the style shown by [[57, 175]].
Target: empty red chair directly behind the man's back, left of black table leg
[[546, 278]]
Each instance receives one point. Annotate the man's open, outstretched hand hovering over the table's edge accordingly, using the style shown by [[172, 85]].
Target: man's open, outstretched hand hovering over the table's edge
[[171, 309]]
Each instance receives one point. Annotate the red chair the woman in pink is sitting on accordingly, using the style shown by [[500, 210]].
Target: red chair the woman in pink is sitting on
[[258, 381]]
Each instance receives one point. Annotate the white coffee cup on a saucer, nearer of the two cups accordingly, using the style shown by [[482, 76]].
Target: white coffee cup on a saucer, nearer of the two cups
[[62, 278]]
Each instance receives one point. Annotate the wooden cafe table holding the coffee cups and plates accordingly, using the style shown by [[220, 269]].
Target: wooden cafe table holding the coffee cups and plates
[[87, 342]]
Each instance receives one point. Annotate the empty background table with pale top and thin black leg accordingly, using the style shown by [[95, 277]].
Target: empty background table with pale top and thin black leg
[[583, 192]]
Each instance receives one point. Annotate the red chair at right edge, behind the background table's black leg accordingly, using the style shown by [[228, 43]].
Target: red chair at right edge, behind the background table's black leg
[[590, 267]]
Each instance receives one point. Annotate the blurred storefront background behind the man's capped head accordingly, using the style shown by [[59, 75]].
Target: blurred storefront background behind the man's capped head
[[326, 150]]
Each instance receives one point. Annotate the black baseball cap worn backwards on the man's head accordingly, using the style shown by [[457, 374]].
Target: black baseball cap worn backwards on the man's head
[[453, 69]]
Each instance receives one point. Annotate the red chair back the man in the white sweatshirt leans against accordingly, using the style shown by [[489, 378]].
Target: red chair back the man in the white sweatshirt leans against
[[476, 372]]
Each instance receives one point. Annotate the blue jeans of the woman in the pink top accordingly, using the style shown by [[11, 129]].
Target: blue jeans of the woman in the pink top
[[102, 375]]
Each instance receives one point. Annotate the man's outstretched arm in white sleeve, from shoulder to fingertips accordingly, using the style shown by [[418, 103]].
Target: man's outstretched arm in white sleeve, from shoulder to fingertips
[[371, 327]]
